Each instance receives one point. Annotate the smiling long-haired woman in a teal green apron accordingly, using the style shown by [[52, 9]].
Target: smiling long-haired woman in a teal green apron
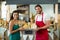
[[14, 26]]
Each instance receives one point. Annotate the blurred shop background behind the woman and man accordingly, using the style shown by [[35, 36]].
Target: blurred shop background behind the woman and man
[[27, 11]]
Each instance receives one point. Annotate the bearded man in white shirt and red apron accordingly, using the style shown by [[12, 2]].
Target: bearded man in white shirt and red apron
[[42, 22]]
